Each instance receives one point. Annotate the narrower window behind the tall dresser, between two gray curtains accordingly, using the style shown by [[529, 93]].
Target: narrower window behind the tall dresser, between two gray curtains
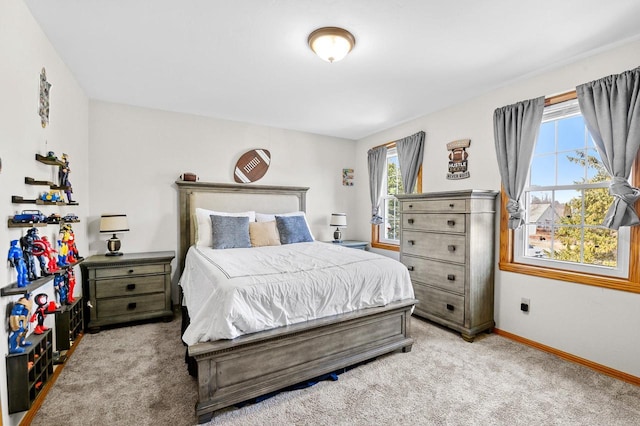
[[387, 234]]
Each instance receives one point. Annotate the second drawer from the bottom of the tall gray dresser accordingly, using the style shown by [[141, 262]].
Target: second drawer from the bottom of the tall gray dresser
[[448, 276]]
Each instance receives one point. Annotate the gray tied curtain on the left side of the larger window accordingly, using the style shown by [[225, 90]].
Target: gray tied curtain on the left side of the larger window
[[515, 130]]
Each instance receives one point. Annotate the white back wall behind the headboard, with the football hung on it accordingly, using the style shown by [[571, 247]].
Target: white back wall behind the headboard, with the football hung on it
[[136, 155]]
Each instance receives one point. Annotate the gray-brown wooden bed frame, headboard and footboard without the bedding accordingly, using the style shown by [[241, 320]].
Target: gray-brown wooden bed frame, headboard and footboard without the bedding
[[249, 366]]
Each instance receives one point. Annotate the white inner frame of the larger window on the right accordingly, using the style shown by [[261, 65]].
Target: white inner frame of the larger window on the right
[[567, 109]]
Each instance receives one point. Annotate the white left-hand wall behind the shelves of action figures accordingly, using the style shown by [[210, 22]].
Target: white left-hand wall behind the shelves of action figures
[[24, 50]]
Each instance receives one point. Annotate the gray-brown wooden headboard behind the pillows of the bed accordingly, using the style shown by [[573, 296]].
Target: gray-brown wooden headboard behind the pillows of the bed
[[227, 197]]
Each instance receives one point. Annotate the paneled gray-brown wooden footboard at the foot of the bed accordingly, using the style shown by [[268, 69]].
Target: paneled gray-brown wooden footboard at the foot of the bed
[[233, 371]]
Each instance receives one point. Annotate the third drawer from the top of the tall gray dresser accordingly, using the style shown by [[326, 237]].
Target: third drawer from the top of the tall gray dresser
[[435, 246]]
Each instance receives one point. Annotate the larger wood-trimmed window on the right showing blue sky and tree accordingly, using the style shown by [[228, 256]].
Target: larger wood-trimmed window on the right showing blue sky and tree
[[565, 201]]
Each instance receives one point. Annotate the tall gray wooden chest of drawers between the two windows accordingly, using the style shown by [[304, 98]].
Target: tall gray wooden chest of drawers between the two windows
[[447, 243]]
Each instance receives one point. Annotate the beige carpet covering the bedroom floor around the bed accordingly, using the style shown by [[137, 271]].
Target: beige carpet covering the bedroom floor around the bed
[[136, 376]]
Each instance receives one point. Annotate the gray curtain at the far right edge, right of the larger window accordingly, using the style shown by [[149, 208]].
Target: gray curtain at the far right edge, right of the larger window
[[611, 108]]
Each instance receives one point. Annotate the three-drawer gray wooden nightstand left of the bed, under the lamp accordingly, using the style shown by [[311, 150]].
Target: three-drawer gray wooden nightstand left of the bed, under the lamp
[[120, 289]]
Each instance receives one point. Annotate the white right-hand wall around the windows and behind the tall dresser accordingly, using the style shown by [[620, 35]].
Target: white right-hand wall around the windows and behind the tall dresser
[[593, 323]]
